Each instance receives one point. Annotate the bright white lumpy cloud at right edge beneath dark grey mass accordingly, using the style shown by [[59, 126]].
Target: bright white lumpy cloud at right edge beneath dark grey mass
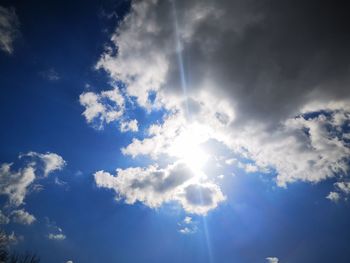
[[302, 149]]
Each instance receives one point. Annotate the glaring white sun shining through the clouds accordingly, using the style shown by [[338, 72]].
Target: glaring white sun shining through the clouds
[[188, 147]]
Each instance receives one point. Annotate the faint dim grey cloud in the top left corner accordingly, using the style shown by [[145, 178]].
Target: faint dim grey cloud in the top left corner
[[9, 25]]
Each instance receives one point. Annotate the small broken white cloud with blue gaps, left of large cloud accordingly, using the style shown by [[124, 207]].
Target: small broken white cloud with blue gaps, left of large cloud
[[104, 107]]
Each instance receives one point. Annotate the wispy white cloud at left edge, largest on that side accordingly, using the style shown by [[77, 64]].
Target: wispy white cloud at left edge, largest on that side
[[15, 183]]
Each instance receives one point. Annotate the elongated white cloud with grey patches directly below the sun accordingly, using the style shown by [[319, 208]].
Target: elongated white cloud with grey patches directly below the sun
[[154, 186]]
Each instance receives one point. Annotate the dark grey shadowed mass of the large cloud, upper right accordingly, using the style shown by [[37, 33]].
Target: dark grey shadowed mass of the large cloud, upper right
[[288, 54]]
